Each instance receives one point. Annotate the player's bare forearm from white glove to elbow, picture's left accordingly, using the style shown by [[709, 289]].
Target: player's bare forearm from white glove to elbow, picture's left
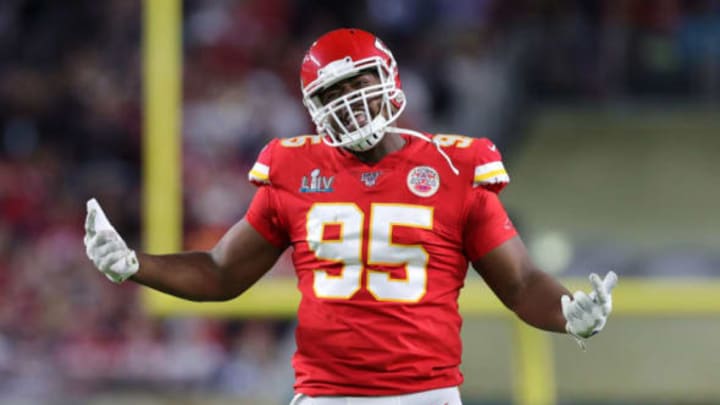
[[191, 275]]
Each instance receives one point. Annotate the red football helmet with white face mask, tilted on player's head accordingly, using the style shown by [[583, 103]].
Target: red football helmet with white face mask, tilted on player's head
[[339, 55]]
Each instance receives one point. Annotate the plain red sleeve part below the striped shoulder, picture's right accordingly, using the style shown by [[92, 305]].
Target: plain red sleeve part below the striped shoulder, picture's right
[[487, 226]]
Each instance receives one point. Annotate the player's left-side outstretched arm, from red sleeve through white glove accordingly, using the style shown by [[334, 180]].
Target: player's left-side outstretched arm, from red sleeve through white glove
[[239, 259]]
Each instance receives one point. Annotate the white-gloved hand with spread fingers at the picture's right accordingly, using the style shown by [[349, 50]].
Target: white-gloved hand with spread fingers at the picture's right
[[586, 314]]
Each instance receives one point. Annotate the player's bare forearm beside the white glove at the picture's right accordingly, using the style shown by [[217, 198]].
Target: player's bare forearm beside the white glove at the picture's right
[[538, 302]]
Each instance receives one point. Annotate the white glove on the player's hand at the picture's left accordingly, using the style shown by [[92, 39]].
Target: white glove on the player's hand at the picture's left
[[105, 248]]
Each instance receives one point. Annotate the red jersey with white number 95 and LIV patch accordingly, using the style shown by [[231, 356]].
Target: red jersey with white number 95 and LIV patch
[[381, 252]]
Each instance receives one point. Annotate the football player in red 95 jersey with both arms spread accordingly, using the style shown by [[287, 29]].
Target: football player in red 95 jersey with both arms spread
[[382, 222]]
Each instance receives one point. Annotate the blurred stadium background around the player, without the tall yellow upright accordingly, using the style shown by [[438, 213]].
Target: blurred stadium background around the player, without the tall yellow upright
[[607, 113]]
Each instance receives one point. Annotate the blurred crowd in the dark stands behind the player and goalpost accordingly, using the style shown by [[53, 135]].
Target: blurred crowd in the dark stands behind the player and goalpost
[[71, 113]]
